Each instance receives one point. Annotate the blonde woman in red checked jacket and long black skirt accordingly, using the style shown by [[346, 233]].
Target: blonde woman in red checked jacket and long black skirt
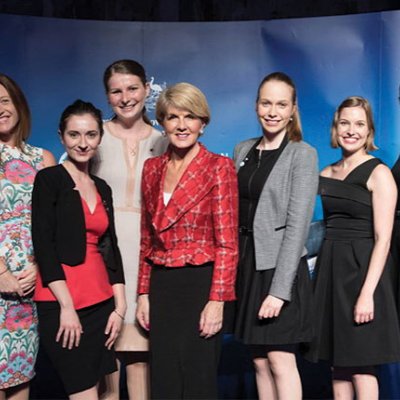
[[188, 250]]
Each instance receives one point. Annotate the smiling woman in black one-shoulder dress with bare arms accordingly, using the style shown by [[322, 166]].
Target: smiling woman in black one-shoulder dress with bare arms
[[357, 326]]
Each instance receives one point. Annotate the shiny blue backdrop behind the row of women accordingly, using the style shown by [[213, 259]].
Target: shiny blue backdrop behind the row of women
[[56, 61]]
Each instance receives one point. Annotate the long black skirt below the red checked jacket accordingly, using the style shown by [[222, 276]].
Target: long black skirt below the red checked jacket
[[183, 365]]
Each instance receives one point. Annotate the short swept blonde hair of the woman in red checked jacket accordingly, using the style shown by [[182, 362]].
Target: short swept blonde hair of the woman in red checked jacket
[[184, 96]]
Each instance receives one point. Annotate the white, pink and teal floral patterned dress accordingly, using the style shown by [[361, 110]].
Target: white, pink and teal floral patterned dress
[[18, 319]]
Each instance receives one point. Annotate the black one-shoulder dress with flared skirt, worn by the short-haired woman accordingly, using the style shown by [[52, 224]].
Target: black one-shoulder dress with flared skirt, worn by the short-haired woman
[[341, 269]]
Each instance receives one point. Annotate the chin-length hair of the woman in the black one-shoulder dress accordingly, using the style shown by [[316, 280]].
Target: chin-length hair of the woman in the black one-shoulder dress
[[355, 101]]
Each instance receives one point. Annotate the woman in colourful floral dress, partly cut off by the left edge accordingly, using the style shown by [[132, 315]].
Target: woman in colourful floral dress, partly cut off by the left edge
[[19, 163]]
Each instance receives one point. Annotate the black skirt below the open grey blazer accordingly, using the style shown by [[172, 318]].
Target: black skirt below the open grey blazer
[[293, 325]]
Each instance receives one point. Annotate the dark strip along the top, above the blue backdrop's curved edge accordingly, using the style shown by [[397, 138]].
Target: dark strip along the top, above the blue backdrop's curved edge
[[192, 10]]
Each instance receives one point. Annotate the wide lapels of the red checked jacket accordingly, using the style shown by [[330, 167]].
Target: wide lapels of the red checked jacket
[[196, 182]]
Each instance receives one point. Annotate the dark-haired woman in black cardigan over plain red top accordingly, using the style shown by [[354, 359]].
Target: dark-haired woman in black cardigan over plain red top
[[80, 291]]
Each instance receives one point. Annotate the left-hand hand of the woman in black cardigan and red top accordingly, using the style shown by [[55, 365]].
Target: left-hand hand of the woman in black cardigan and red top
[[70, 329]]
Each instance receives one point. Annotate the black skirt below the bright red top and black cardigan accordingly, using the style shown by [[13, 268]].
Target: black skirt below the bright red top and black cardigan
[[81, 367]]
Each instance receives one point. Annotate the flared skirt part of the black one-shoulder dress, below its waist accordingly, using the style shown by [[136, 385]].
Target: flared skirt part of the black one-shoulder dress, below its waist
[[340, 273]]
